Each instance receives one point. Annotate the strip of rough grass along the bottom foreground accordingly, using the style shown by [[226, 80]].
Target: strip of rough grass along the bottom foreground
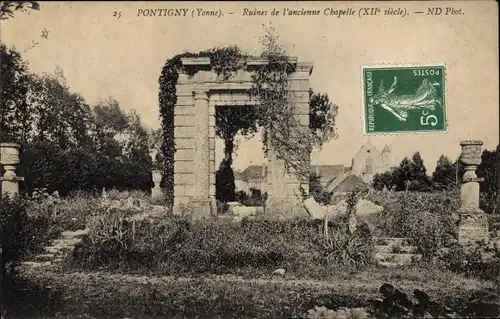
[[105, 295]]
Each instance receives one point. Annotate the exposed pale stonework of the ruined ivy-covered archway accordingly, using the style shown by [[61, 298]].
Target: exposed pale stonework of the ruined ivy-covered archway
[[199, 91]]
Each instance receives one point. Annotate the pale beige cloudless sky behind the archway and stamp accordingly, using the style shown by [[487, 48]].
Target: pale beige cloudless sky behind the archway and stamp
[[103, 56]]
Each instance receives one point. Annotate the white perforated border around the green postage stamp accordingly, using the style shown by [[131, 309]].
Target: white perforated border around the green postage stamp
[[405, 65]]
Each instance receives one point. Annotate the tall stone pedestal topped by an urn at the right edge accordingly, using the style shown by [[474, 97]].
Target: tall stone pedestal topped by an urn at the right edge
[[473, 224]]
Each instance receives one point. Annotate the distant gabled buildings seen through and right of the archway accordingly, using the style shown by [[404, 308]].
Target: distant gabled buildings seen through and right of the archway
[[337, 178]]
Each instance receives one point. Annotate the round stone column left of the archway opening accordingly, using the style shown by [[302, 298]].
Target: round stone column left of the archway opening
[[201, 160]]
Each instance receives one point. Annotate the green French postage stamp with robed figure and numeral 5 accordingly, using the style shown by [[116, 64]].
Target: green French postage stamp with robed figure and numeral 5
[[404, 99]]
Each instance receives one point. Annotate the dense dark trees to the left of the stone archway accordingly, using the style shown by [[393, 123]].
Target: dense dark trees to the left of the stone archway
[[68, 145]]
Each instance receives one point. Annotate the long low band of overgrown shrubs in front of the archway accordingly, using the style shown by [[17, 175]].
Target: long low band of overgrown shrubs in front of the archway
[[177, 245]]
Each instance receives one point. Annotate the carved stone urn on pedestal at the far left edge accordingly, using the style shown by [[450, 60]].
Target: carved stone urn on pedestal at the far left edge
[[9, 158]]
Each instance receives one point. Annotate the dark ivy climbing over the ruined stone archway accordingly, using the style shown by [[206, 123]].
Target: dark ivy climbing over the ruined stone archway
[[291, 141]]
